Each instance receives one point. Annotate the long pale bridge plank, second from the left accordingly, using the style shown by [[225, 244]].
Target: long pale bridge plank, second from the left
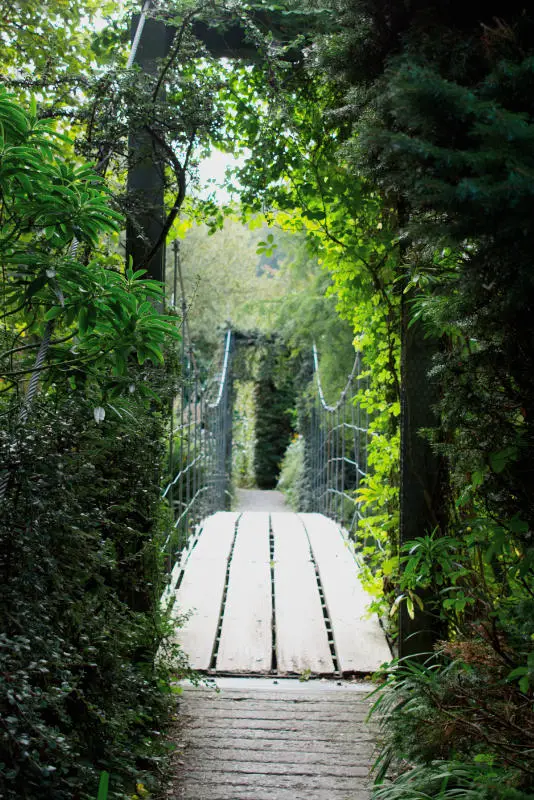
[[246, 636]]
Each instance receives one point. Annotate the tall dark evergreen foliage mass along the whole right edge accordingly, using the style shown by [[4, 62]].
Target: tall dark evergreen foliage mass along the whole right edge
[[441, 108]]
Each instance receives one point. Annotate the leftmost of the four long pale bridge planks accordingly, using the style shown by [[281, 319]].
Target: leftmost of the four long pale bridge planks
[[202, 588]]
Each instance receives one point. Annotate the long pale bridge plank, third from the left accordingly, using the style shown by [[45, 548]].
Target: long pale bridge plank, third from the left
[[301, 638]]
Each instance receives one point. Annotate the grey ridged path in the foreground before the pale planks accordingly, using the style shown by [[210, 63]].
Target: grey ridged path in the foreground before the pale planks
[[262, 739]]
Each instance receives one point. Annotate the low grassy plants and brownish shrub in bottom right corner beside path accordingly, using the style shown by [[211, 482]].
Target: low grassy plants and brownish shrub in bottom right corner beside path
[[448, 731]]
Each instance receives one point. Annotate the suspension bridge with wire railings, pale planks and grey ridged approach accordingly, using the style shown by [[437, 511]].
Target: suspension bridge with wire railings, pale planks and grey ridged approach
[[274, 608]]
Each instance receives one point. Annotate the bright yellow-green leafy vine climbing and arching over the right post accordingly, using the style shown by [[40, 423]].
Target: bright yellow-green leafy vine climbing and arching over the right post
[[349, 264]]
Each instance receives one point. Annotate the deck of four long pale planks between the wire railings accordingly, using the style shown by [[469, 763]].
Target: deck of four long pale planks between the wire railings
[[303, 622]]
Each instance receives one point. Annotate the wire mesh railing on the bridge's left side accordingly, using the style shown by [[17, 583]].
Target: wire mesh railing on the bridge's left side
[[200, 449]]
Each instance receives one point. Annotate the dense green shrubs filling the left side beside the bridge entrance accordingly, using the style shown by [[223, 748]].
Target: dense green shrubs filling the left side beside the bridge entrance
[[82, 520]]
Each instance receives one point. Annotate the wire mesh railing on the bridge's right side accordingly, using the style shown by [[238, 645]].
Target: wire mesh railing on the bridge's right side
[[336, 441]]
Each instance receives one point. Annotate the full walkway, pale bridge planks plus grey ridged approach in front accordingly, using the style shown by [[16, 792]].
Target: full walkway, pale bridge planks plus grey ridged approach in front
[[276, 595]]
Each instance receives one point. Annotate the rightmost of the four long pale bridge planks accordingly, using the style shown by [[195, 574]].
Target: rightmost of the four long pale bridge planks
[[360, 641]]
